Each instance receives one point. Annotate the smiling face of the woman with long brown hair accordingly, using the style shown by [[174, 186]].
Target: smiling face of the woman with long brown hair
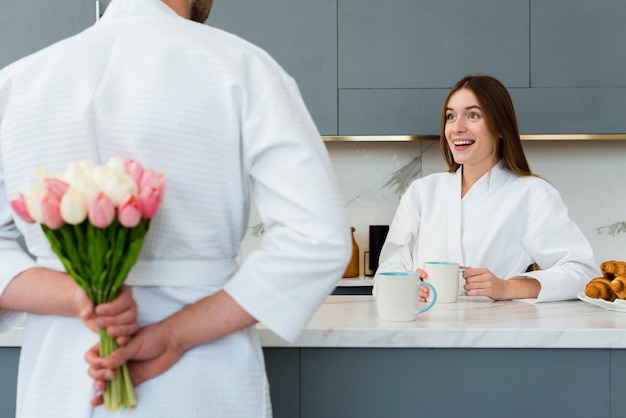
[[469, 138]]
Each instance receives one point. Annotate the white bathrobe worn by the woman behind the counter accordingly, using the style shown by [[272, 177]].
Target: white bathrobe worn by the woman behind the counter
[[504, 223]]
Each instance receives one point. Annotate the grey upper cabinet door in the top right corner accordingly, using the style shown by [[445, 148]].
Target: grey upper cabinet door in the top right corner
[[578, 43]]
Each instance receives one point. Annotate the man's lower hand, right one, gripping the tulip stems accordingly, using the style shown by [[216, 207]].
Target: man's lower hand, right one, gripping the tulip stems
[[148, 354]]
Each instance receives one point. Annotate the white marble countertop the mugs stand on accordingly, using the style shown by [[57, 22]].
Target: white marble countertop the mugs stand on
[[473, 322]]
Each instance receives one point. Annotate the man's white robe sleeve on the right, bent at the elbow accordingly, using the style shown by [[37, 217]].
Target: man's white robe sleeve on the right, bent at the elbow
[[306, 243]]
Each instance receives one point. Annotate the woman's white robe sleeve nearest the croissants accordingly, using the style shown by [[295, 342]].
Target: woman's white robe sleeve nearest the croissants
[[558, 246]]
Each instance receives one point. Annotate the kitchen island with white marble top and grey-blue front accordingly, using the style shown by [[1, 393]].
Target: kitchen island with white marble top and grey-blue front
[[475, 358]]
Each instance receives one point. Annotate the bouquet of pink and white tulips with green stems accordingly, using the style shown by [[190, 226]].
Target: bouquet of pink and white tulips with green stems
[[96, 219]]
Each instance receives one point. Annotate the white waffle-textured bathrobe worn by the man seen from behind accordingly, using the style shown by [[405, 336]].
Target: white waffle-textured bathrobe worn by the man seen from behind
[[221, 120]]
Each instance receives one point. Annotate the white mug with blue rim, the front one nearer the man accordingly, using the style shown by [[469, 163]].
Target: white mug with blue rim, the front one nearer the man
[[397, 296]]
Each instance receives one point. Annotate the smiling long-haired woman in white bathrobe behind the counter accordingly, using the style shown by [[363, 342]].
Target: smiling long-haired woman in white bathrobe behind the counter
[[489, 212]]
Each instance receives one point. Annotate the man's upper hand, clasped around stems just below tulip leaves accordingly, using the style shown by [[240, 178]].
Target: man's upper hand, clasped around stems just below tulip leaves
[[119, 316]]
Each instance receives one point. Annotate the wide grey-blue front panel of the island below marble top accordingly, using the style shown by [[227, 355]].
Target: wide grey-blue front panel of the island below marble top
[[399, 383]]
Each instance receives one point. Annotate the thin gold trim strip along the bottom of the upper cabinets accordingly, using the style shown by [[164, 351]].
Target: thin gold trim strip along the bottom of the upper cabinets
[[530, 137]]
